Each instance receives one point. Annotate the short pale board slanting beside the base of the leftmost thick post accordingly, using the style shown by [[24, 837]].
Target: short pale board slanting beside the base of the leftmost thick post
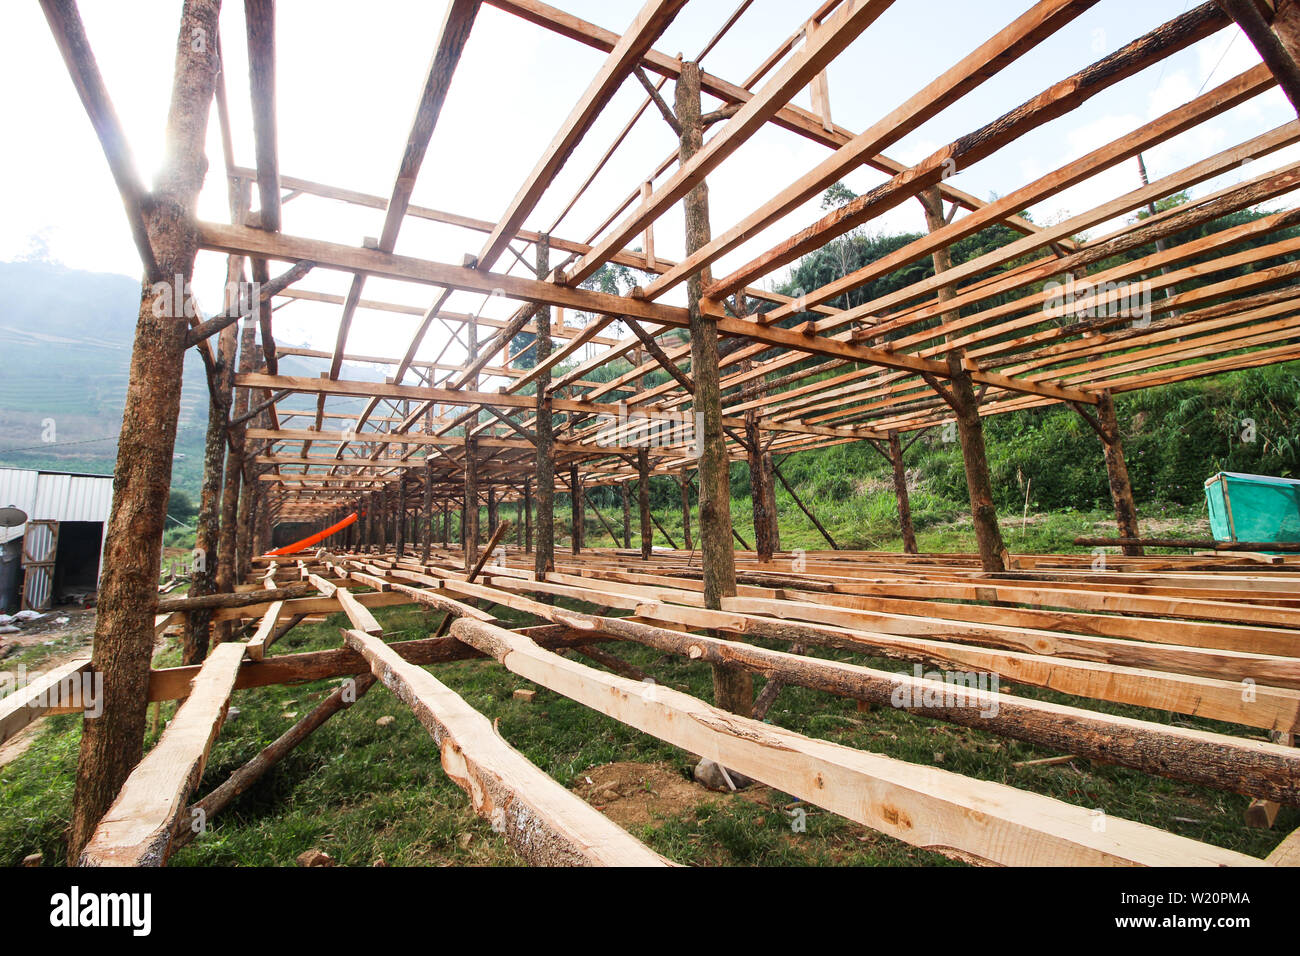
[[137, 830]]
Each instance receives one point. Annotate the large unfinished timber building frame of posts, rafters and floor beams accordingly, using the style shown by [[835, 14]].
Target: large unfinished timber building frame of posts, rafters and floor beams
[[739, 374]]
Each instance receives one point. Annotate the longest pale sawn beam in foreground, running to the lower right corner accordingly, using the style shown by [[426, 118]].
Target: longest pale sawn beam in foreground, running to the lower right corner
[[920, 806]]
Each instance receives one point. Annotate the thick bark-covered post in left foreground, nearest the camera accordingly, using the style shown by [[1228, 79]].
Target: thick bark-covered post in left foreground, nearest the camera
[[114, 742]]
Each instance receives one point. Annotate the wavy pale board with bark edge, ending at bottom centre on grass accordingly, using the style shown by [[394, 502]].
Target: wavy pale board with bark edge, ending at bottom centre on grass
[[544, 823]]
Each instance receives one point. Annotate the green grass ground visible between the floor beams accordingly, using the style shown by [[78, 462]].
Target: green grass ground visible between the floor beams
[[366, 793]]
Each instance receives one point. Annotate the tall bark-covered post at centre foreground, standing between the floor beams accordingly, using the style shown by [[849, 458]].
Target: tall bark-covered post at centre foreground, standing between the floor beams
[[734, 689]]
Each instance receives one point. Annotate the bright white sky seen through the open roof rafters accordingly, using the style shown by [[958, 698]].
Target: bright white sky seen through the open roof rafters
[[350, 75]]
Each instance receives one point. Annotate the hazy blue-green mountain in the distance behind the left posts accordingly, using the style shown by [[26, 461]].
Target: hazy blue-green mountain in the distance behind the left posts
[[66, 349]]
